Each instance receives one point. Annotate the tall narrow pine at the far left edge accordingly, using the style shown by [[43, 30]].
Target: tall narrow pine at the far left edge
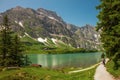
[[5, 42]]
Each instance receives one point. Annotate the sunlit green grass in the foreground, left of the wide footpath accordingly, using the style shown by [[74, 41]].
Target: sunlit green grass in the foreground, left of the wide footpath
[[32, 73]]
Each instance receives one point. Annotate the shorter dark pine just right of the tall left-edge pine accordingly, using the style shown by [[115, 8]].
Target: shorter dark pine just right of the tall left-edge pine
[[17, 52]]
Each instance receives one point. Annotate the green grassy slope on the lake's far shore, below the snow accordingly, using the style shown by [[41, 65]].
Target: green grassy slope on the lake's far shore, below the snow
[[33, 46]]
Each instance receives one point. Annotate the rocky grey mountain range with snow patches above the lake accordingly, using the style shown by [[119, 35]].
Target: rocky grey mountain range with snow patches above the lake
[[49, 29]]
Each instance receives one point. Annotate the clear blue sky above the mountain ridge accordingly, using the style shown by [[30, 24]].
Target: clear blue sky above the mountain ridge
[[77, 12]]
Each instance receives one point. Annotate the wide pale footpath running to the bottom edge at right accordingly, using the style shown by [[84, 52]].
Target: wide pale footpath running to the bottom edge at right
[[102, 74]]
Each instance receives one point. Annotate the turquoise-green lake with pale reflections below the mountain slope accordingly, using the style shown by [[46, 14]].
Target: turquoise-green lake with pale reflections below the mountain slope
[[65, 60]]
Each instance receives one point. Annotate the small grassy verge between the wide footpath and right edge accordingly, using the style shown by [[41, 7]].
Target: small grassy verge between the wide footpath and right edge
[[115, 73]]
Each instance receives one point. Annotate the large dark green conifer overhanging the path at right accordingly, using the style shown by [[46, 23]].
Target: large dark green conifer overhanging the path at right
[[109, 24]]
